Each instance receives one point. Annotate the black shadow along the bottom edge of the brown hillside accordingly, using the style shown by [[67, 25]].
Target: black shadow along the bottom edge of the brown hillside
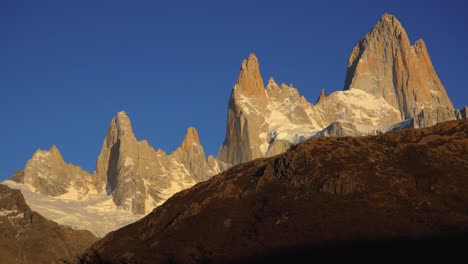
[[446, 249]]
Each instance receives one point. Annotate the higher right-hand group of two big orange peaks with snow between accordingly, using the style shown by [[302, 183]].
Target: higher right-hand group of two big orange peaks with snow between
[[389, 85]]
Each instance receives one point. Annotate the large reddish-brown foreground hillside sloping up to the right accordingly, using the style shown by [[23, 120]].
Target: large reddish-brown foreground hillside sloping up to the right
[[403, 184]]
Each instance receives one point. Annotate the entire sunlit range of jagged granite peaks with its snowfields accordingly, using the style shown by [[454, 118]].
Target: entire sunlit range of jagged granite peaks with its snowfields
[[389, 85]]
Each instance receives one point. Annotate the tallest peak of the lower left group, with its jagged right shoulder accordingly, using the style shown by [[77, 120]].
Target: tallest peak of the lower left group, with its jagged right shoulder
[[138, 177]]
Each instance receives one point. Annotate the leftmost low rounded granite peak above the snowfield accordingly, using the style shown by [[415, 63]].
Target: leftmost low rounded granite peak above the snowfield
[[49, 174]]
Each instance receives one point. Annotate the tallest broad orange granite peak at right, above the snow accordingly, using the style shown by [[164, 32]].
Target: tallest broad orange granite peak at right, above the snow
[[385, 64]]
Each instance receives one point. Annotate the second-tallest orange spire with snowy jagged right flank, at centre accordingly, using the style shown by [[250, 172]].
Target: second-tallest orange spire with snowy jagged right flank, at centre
[[258, 116]]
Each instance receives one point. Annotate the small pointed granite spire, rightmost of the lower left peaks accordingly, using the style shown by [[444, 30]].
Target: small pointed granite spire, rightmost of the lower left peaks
[[192, 155]]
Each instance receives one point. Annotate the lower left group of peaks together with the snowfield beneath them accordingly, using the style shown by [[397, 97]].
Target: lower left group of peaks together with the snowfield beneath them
[[130, 173]]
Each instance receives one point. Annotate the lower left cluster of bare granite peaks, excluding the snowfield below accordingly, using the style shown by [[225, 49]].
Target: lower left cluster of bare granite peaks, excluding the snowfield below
[[134, 174]]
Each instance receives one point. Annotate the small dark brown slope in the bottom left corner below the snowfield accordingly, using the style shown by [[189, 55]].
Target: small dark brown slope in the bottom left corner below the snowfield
[[27, 237]]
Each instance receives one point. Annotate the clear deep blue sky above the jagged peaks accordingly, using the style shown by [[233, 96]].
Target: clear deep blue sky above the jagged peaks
[[67, 67]]
